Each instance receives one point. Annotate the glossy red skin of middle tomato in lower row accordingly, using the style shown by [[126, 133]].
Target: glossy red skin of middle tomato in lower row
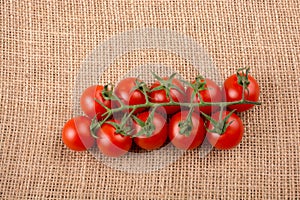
[[159, 135]]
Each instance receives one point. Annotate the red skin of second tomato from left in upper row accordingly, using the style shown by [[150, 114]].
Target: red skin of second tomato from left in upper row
[[128, 96]]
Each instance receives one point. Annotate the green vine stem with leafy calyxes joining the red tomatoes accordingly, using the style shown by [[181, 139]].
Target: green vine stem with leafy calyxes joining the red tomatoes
[[167, 85]]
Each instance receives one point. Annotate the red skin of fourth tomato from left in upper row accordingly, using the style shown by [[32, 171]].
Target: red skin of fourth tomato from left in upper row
[[212, 93]]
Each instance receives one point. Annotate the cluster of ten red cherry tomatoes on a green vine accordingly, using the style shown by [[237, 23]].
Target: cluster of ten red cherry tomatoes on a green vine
[[181, 112]]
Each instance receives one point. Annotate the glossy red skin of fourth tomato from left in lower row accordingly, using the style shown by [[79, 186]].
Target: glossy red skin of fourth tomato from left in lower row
[[196, 136]]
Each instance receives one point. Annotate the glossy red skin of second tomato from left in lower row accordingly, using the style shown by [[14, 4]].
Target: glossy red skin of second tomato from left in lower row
[[111, 143]]
